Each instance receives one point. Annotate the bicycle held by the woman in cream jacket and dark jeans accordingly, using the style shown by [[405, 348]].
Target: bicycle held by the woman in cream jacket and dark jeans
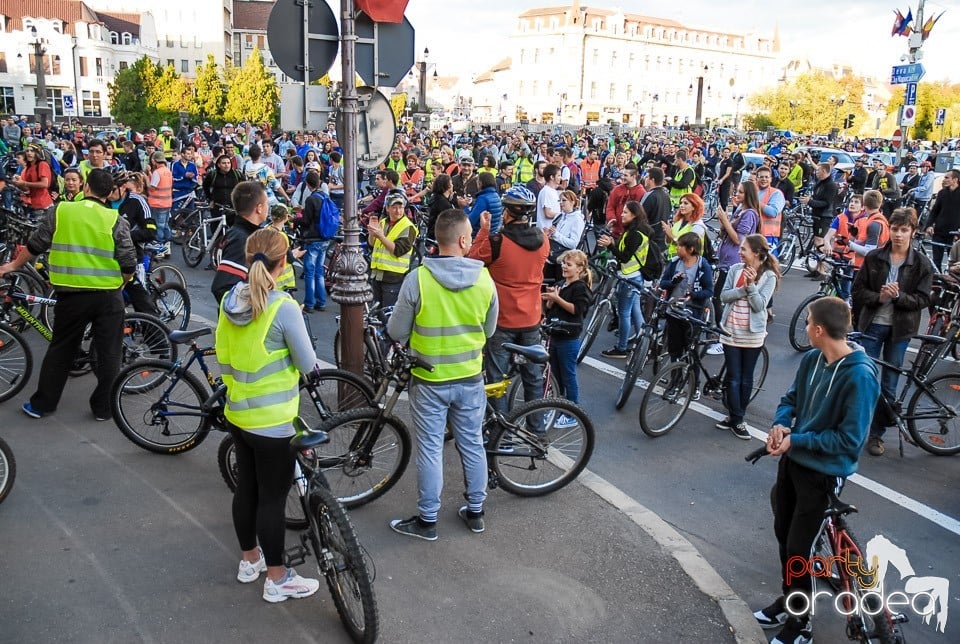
[[667, 398]]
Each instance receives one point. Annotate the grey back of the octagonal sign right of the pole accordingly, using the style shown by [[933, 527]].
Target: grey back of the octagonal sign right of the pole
[[384, 51]]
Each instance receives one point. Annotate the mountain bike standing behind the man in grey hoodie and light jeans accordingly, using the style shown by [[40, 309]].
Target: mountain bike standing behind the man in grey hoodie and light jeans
[[529, 453]]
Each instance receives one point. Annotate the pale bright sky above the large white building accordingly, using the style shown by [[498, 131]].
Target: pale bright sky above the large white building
[[466, 37]]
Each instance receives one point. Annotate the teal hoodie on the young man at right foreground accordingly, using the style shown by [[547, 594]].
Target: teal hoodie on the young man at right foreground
[[828, 409]]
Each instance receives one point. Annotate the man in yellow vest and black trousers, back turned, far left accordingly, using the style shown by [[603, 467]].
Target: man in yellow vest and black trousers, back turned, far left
[[91, 257]]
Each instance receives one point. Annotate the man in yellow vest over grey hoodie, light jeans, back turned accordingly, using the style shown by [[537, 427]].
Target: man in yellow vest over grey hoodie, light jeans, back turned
[[447, 308]]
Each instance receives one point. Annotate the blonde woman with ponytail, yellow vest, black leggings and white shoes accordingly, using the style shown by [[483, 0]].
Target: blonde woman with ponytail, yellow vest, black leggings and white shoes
[[262, 347]]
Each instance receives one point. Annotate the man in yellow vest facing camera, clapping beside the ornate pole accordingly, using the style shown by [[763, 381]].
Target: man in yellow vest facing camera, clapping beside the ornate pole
[[392, 249]]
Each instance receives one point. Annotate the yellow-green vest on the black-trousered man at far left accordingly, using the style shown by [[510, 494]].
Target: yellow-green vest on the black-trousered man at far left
[[82, 252]]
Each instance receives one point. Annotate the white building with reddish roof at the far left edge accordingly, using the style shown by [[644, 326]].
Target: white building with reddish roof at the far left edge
[[81, 50]]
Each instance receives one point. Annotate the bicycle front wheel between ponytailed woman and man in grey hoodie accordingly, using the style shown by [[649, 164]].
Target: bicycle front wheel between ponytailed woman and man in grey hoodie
[[364, 458]]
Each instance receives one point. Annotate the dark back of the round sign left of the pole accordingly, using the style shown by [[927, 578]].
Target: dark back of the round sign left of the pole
[[286, 38]]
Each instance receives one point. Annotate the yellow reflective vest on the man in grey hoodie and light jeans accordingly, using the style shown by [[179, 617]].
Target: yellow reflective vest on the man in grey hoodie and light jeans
[[448, 328]]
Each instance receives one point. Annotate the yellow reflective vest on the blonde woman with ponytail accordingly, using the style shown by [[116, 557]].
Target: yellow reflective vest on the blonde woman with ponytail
[[262, 386]]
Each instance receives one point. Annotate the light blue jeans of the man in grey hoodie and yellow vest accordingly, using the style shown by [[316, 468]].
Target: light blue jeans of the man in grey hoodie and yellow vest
[[461, 406]]
